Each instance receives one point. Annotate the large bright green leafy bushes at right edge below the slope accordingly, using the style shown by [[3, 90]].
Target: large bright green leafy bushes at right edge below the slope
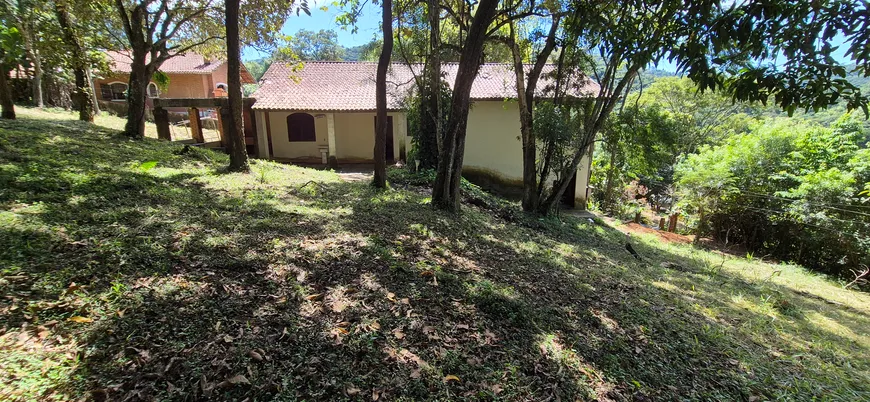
[[790, 189]]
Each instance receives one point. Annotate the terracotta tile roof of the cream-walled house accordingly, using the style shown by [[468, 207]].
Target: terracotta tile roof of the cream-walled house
[[325, 86]]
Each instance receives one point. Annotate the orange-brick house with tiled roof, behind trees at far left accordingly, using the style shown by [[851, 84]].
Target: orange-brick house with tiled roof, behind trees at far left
[[190, 76]]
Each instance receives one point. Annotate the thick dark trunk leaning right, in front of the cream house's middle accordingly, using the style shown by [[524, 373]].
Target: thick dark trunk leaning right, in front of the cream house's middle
[[445, 192]]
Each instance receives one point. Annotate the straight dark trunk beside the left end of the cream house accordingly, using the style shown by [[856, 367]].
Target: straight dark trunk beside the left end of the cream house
[[236, 134]]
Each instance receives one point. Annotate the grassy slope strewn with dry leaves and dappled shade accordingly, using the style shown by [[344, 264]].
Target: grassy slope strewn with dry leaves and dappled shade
[[312, 288]]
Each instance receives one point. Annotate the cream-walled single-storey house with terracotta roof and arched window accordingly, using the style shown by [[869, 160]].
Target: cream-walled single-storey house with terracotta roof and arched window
[[327, 110]]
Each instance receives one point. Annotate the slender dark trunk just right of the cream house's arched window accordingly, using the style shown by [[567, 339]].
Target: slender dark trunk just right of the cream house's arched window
[[380, 153]]
